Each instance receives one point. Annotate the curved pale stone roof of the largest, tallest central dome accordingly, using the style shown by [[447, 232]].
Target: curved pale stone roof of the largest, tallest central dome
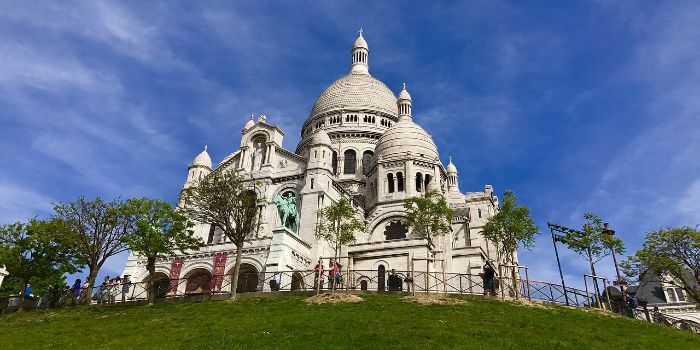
[[355, 92]]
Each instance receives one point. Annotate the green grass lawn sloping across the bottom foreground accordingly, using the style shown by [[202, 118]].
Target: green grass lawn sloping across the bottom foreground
[[381, 321]]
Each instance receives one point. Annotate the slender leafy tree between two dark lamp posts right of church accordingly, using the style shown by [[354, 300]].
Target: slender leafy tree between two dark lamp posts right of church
[[591, 243]]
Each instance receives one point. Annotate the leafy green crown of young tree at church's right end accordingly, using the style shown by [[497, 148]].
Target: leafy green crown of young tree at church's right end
[[510, 227]]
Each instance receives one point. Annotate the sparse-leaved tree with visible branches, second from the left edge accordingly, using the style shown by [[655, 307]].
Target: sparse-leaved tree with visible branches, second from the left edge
[[98, 229]]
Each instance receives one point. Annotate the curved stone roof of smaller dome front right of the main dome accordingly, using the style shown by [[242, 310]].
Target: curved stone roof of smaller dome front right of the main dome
[[406, 136]]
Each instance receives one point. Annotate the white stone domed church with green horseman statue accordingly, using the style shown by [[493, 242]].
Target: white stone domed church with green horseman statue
[[360, 141]]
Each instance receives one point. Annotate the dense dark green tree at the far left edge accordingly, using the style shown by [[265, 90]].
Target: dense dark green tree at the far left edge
[[39, 249]]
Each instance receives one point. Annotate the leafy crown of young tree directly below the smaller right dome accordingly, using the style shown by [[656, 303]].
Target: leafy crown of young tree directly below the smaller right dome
[[429, 216]]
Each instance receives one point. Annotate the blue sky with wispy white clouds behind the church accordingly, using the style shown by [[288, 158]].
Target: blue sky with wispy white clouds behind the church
[[575, 106]]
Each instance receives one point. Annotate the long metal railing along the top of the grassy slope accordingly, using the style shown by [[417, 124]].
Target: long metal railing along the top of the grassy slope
[[308, 281]]
